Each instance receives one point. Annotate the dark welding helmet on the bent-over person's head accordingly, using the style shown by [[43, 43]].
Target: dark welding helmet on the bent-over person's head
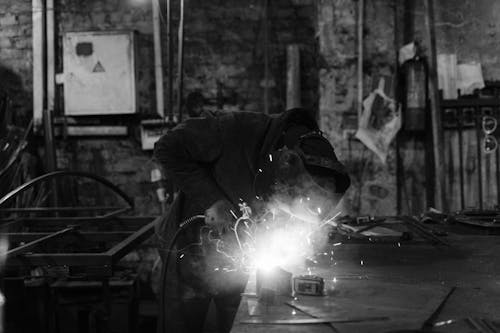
[[304, 168]]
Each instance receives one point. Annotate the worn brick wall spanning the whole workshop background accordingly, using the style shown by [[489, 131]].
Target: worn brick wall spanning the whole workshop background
[[224, 57]]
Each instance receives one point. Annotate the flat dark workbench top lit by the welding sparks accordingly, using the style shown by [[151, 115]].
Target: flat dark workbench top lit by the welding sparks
[[390, 287]]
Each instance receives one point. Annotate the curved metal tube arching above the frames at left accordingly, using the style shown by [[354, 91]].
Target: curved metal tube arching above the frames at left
[[55, 174]]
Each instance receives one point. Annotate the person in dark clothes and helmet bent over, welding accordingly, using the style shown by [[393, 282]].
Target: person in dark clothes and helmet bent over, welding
[[216, 163]]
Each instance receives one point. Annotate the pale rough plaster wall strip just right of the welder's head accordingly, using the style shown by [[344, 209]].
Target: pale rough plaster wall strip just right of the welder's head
[[373, 189]]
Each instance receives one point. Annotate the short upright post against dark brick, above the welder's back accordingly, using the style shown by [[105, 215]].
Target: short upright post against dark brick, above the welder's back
[[293, 77]]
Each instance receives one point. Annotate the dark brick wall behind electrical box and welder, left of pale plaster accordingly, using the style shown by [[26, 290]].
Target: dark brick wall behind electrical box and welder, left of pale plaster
[[223, 60]]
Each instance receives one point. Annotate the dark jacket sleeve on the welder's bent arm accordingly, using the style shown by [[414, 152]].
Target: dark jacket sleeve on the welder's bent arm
[[186, 154]]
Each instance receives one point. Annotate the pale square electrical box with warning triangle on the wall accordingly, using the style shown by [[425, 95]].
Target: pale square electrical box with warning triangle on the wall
[[99, 73]]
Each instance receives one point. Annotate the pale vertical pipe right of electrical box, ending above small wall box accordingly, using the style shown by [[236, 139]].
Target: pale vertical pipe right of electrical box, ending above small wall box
[[160, 107]]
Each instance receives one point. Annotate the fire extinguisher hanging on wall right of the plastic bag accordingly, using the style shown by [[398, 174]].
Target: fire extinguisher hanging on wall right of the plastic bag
[[415, 94]]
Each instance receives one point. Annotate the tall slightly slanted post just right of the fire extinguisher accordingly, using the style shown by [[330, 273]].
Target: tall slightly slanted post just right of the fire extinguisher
[[437, 129]]
